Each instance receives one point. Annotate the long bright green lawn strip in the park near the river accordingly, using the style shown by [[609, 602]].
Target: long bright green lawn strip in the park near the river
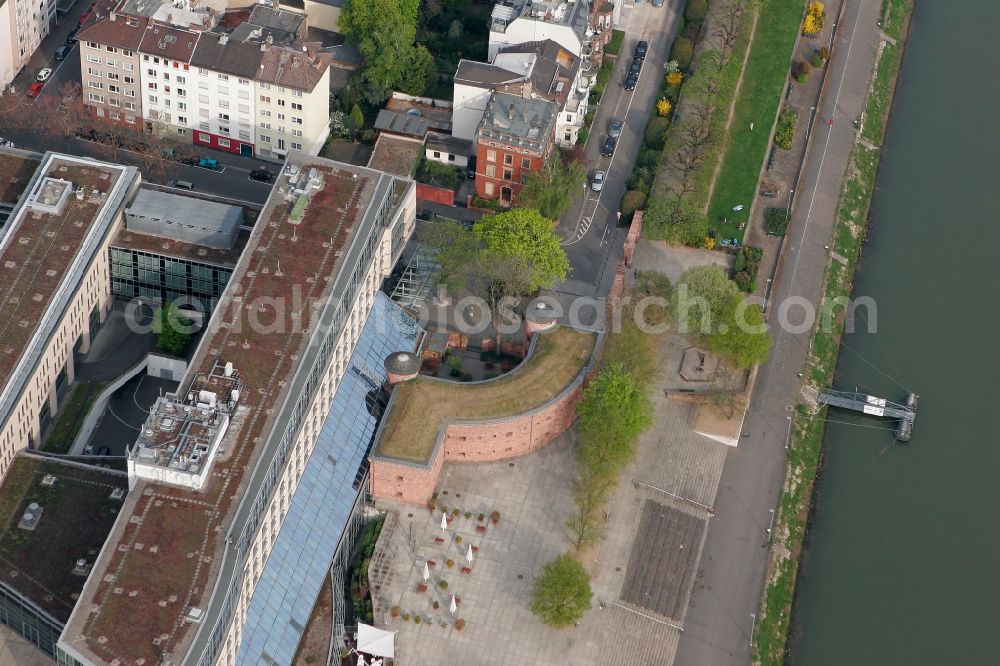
[[757, 102]]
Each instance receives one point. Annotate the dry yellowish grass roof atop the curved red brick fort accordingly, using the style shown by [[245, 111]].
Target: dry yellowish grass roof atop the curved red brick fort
[[423, 405]]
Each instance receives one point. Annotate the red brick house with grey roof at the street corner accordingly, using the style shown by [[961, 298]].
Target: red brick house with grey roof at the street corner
[[513, 140]]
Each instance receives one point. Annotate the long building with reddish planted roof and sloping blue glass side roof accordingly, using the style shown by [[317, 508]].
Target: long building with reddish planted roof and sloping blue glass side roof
[[279, 430]]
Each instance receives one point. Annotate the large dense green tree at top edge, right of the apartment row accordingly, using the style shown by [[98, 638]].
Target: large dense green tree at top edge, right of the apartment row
[[383, 31]]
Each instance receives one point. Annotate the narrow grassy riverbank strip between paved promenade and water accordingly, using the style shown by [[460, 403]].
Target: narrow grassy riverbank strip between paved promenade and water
[[805, 445]]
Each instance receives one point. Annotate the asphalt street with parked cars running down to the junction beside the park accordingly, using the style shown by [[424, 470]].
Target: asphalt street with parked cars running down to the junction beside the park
[[593, 240]]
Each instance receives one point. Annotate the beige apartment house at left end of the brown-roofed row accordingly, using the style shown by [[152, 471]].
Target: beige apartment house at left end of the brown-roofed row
[[110, 65]]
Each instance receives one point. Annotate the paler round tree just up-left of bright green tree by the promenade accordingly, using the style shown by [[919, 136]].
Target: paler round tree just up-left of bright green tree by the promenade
[[700, 300]]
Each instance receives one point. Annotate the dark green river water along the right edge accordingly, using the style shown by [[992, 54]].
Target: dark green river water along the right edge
[[902, 563]]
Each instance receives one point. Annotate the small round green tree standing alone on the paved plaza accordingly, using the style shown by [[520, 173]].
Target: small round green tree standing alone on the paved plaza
[[562, 593]]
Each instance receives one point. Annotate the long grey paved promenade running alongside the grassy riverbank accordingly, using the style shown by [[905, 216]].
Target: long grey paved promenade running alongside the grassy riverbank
[[730, 579]]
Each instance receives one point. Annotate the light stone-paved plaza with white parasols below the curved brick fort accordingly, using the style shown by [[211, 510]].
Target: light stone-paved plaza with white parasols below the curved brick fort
[[676, 469]]
